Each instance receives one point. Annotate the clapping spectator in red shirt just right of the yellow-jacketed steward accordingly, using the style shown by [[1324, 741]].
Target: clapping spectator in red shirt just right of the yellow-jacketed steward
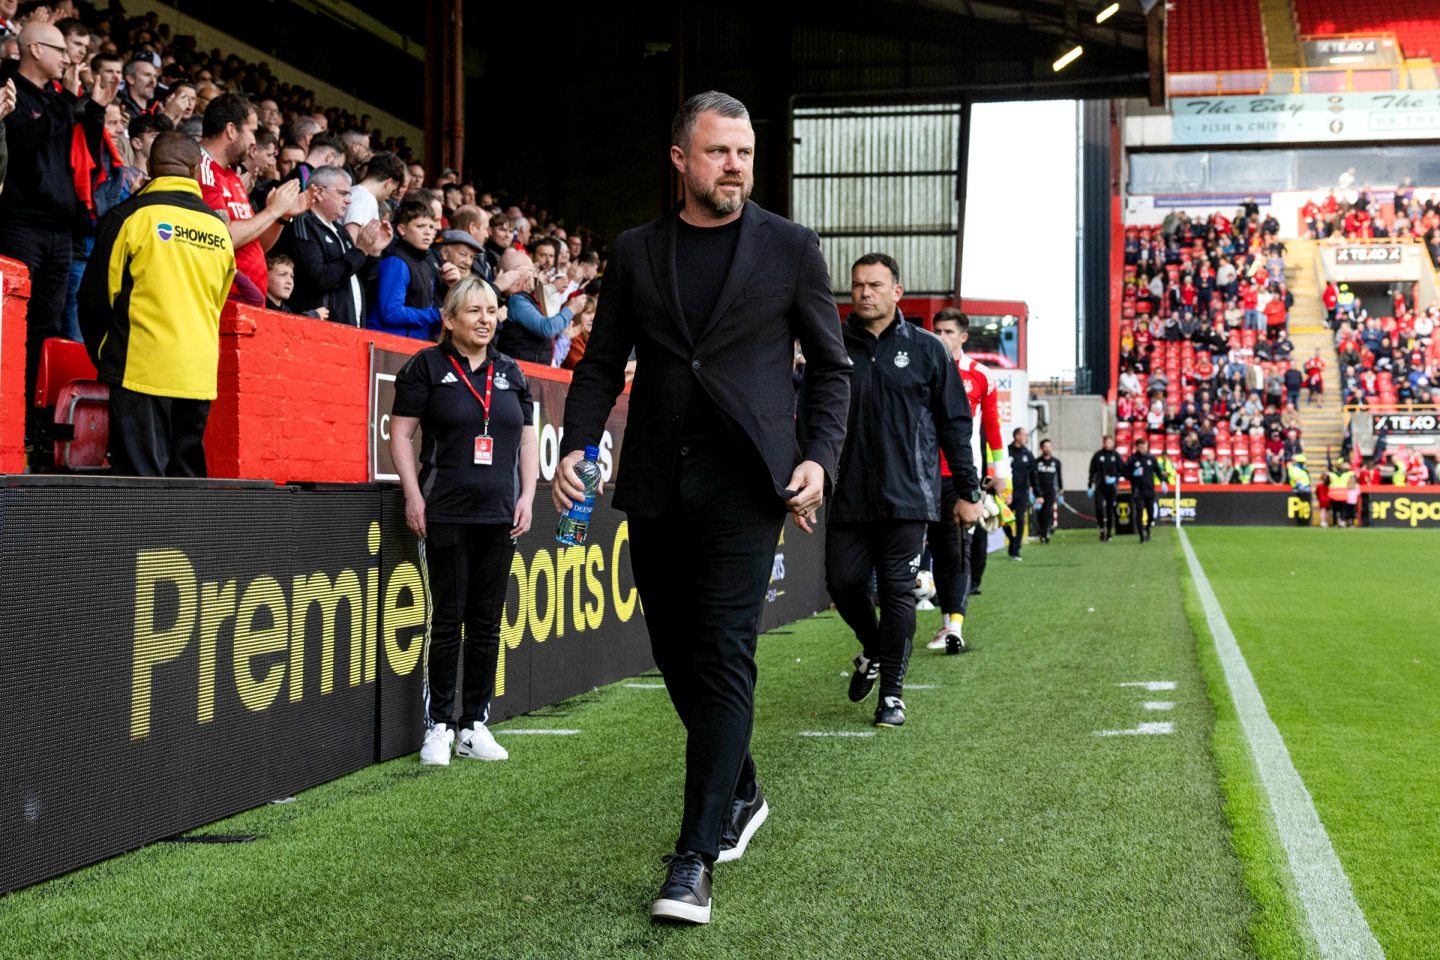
[[230, 130]]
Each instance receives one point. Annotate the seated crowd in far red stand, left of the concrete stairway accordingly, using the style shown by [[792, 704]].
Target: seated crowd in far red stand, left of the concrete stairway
[[1206, 366]]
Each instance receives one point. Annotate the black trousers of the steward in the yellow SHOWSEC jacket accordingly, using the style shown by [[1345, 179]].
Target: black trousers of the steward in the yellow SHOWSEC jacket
[[156, 437]]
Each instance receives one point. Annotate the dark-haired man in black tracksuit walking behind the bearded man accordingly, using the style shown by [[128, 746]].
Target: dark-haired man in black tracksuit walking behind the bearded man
[[906, 405]]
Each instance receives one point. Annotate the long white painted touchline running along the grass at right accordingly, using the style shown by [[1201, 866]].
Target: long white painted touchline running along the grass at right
[[1326, 892]]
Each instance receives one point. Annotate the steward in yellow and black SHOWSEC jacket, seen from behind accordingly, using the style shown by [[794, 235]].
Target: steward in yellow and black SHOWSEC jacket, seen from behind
[[150, 312]]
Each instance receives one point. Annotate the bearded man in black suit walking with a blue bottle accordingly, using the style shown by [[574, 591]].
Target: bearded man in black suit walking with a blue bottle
[[712, 297]]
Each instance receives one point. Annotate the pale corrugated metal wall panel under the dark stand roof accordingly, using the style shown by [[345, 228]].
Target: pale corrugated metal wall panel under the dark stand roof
[[881, 179]]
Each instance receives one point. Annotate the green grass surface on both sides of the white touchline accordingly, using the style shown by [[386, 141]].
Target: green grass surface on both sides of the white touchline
[[994, 824]]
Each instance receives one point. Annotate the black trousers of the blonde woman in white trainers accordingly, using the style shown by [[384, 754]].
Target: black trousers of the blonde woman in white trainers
[[469, 571]]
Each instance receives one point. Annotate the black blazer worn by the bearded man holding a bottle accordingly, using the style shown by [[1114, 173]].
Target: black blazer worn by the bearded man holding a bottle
[[777, 291]]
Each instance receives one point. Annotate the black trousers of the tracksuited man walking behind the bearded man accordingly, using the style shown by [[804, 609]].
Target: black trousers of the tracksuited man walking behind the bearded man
[[891, 552]]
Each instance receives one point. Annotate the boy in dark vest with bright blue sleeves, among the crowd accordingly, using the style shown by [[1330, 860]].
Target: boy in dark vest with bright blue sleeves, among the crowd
[[404, 300]]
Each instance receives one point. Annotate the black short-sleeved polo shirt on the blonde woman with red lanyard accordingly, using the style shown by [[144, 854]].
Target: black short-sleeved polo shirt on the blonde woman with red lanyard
[[456, 489]]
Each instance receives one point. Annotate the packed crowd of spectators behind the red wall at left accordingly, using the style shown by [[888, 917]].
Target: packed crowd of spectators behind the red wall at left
[[328, 217]]
